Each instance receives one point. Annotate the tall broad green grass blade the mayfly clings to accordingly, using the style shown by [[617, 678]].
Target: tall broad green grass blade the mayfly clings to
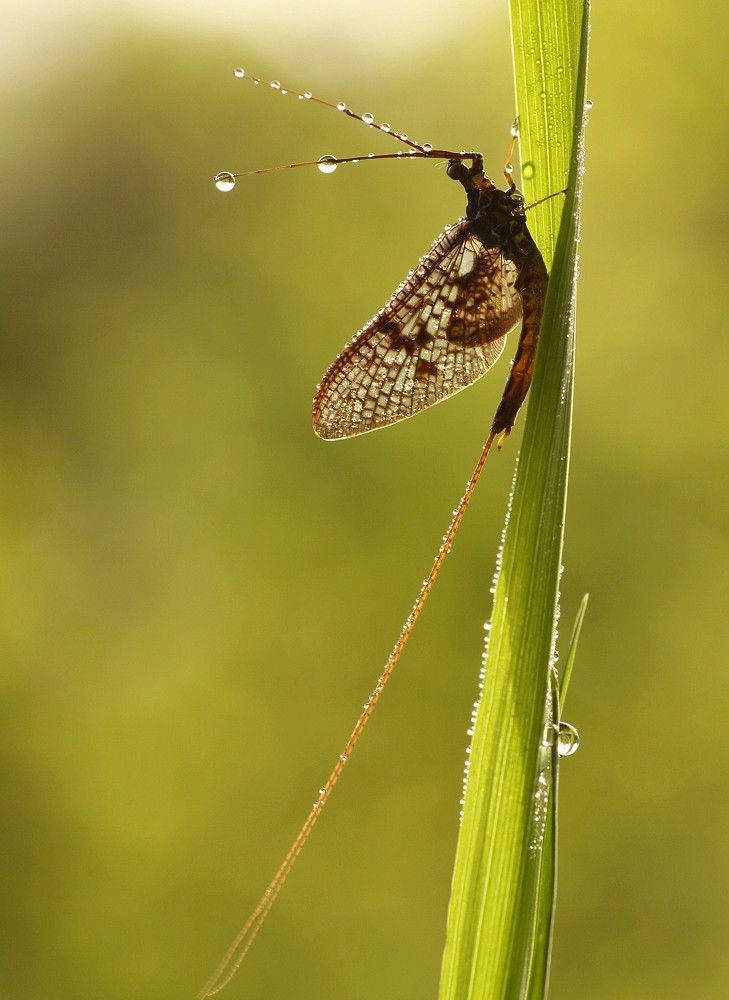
[[499, 924]]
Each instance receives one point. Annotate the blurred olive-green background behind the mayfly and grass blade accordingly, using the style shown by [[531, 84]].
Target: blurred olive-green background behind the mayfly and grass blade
[[198, 593]]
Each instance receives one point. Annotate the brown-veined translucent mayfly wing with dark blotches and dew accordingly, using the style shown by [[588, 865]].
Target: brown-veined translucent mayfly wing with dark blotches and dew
[[443, 328]]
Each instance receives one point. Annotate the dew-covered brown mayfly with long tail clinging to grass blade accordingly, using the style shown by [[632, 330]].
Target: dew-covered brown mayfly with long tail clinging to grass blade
[[443, 327]]
